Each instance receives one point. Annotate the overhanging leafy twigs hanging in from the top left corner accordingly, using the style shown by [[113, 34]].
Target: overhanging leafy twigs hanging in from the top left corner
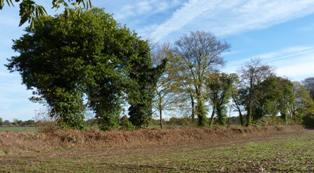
[[30, 11]]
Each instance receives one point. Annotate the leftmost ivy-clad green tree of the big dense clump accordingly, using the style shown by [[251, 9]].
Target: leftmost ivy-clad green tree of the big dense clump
[[54, 61]]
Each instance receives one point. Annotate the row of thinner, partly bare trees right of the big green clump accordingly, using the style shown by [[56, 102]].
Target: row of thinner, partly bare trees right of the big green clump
[[192, 75]]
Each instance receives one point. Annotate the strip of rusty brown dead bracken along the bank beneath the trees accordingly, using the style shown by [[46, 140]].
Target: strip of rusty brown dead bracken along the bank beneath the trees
[[56, 138]]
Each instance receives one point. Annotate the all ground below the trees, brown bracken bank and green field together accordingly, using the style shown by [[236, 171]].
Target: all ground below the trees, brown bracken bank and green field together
[[228, 150]]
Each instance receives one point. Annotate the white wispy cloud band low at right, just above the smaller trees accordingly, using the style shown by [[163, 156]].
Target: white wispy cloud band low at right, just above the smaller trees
[[294, 62]]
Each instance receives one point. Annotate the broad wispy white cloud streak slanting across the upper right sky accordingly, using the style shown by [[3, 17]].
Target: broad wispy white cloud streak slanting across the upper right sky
[[225, 17]]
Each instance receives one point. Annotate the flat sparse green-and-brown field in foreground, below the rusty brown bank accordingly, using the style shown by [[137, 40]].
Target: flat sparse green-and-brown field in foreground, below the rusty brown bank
[[287, 152]]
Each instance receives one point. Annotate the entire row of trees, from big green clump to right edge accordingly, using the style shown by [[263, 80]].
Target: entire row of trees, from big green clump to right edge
[[83, 56]]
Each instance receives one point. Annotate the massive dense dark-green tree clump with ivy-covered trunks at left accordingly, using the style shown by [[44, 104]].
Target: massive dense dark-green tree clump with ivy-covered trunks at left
[[65, 57]]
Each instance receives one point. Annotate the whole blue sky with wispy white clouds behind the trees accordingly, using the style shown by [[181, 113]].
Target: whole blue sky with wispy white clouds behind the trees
[[278, 32]]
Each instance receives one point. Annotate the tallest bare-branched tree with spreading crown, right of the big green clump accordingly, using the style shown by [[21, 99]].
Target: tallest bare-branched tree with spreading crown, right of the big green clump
[[200, 53]]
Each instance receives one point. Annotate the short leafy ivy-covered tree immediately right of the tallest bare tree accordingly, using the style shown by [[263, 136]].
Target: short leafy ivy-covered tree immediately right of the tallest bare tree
[[220, 87]]
